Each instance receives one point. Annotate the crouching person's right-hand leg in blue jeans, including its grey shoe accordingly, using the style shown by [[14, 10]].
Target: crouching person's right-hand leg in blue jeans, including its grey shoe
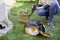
[[52, 12]]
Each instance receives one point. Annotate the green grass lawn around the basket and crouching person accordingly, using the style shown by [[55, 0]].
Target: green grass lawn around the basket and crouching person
[[18, 29]]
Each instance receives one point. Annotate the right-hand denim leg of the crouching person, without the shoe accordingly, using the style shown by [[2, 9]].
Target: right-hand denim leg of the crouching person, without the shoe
[[52, 10]]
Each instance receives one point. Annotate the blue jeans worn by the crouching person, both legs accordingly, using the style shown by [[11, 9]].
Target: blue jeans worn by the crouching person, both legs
[[53, 9]]
